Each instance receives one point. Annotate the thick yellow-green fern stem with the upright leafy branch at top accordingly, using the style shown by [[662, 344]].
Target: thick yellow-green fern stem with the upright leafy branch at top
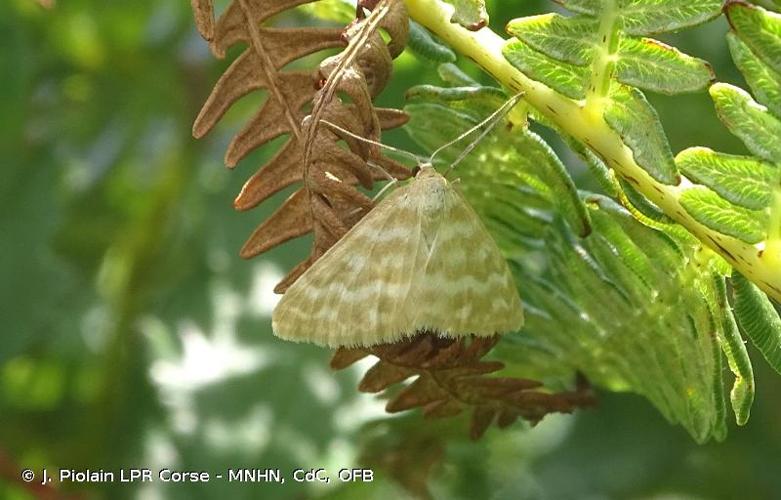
[[584, 75]]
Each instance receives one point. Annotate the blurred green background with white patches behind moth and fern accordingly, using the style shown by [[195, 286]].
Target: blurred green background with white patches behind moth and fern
[[134, 336]]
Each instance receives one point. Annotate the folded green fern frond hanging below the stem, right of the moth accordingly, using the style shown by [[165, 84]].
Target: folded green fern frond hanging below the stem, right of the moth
[[634, 308]]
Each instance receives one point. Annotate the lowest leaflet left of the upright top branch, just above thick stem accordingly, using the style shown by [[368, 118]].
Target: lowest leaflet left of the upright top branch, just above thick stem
[[564, 78]]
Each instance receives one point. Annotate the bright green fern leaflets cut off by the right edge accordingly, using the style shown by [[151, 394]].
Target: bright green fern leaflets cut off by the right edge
[[742, 197]]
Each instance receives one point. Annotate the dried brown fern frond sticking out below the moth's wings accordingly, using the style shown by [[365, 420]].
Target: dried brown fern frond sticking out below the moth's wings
[[451, 378]]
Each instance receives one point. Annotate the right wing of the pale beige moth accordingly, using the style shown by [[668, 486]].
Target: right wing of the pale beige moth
[[467, 287]]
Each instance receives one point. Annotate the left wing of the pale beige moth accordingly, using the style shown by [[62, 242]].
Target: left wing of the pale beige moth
[[354, 294]]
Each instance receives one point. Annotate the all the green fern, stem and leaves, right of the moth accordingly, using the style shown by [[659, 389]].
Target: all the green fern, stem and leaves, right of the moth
[[584, 76]]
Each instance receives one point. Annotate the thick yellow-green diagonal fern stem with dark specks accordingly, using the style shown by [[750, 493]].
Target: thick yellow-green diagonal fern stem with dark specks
[[485, 48]]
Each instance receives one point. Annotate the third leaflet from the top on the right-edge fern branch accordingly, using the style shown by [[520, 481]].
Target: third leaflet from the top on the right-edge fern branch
[[749, 121]]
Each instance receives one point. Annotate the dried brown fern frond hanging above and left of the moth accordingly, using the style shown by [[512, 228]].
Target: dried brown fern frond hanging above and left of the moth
[[327, 203]]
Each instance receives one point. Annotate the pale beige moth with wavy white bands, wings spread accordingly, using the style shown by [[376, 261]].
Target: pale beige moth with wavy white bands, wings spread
[[421, 260]]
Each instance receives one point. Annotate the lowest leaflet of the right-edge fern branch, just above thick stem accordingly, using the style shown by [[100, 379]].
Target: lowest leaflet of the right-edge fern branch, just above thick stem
[[713, 211]]
